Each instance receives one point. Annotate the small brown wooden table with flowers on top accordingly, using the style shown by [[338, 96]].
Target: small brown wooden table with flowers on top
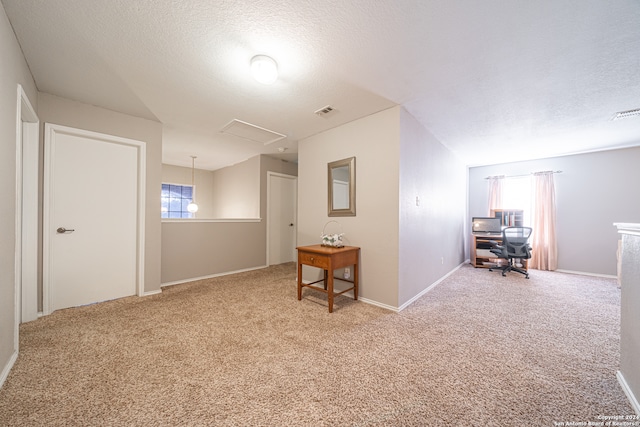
[[329, 259]]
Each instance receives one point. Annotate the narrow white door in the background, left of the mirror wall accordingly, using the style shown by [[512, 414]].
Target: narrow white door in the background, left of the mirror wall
[[282, 218]]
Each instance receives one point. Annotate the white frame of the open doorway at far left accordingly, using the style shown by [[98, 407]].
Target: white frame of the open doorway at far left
[[26, 243]]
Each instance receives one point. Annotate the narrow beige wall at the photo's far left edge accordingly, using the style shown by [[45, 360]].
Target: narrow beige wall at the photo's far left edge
[[13, 71]]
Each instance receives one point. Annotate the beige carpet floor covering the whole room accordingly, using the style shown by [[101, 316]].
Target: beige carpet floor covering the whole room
[[478, 350]]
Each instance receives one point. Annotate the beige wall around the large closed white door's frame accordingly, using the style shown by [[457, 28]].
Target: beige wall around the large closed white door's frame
[[53, 109]]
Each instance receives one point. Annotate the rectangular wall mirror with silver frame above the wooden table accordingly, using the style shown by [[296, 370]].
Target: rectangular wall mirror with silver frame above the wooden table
[[342, 187]]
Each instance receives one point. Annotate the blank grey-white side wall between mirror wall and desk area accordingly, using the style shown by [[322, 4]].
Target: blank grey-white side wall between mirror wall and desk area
[[432, 234]]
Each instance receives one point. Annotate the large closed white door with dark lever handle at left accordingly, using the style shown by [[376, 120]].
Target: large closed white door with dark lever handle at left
[[91, 218]]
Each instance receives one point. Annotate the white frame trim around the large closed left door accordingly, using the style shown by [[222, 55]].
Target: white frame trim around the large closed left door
[[49, 134]]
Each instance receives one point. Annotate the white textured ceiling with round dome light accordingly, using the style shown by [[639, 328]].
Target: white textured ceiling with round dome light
[[494, 80]]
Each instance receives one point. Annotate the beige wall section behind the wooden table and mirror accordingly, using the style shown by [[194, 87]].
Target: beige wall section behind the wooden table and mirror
[[375, 143]]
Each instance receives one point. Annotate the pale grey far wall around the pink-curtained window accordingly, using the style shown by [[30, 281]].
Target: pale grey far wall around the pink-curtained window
[[593, 191]]
